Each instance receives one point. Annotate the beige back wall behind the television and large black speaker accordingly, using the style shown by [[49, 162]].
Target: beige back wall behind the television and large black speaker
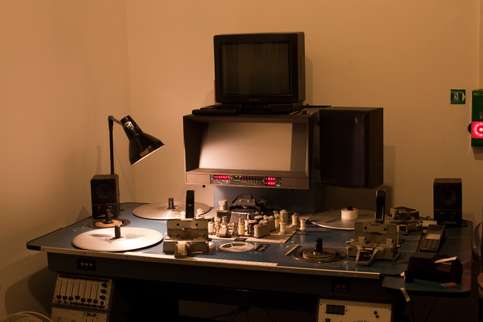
[[402, 55]]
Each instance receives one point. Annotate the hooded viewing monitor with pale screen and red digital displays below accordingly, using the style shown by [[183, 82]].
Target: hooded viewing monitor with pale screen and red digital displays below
[[257, 151]]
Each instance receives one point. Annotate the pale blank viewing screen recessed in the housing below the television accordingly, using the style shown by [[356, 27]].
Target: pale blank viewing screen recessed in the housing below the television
[[247, 146]]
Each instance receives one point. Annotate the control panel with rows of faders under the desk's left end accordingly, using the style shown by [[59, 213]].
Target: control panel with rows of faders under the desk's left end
[[78, 299]]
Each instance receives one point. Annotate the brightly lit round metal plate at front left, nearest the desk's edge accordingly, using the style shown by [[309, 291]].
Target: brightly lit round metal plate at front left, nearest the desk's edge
[[131, 238]]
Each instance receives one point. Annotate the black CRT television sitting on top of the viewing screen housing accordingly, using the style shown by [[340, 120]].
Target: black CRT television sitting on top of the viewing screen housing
[[264, 68]]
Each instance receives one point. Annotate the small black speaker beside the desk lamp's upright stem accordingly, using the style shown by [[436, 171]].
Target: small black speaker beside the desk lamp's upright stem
[[105, 195]]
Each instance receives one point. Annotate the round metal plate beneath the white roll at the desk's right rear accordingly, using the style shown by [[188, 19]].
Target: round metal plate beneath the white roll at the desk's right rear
[[332, 219]]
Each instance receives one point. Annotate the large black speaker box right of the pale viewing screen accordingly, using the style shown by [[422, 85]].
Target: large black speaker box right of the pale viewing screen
[[351, 146]]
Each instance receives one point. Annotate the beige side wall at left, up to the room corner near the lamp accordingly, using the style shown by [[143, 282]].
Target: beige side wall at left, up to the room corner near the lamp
[[63, 70]]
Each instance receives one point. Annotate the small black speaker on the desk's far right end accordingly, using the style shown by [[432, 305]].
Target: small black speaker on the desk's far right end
[[448, 201]]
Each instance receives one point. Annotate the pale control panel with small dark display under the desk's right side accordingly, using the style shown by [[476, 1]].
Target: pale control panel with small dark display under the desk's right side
[[350, 311]]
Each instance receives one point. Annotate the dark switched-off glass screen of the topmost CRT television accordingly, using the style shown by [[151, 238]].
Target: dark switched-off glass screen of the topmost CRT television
[[256, 69]]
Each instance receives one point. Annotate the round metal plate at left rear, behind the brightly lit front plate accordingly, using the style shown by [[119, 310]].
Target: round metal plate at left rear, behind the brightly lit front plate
[[160, 211]]
